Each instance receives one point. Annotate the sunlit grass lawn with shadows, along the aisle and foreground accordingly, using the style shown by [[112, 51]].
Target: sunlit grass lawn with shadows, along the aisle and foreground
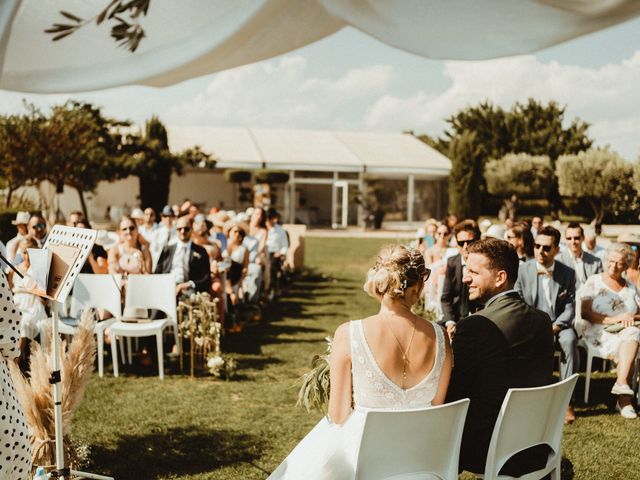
[[138, 427]]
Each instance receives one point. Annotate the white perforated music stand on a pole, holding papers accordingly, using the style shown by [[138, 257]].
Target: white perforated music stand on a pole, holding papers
[[81, 240]]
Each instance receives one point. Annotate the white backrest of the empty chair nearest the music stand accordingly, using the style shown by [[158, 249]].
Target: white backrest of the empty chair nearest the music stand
[[96, 291]]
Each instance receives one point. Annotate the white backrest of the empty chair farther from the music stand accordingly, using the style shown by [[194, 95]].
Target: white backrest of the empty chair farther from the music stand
[[156, 291]]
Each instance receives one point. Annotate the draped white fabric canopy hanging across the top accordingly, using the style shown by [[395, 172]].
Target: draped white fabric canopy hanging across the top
[[190, 38]]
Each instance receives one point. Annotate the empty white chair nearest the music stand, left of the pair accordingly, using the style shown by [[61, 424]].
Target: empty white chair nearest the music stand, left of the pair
[[98, 292]]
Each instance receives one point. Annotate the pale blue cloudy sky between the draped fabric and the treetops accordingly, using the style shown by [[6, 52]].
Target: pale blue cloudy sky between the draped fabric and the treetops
[[350, 81]]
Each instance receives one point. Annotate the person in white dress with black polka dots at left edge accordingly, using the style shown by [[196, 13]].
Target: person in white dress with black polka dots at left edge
[[15, 451]]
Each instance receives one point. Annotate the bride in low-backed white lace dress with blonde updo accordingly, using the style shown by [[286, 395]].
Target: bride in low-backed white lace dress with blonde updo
[[393, 360]]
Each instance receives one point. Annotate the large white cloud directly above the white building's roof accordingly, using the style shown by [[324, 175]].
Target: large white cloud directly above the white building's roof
[[281, 94]]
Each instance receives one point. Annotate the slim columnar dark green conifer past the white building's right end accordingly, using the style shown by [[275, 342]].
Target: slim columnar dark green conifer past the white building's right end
[[465, 178]]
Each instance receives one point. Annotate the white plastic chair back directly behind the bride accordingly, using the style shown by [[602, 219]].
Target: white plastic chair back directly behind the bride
[[412, 444]]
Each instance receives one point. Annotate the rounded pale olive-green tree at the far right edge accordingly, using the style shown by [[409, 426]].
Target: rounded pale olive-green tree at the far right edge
[[600, 177]]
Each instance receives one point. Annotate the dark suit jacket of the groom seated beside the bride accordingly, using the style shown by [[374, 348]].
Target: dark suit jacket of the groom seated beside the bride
[[507, 344]]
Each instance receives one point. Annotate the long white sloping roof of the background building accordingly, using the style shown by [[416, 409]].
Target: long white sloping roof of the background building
[[314, 150]]
